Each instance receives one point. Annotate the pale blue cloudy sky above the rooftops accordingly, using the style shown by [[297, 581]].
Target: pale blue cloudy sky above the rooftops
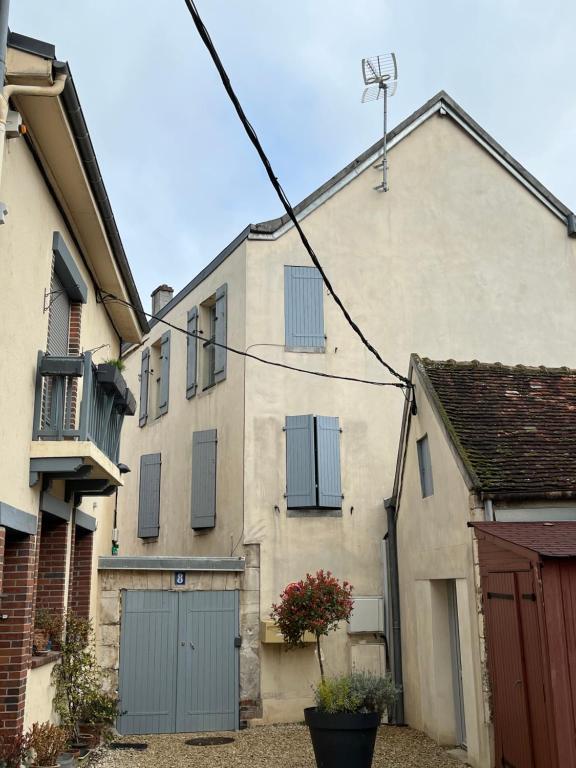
[[180, 173]]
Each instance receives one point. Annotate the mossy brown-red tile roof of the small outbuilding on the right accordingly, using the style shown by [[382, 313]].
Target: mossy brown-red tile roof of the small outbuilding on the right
[[514, 426]]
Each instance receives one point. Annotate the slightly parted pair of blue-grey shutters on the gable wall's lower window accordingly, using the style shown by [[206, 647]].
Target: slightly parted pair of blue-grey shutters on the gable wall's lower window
[[313, 462]]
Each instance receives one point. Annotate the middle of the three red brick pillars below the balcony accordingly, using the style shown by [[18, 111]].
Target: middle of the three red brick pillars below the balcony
[[52, 564]]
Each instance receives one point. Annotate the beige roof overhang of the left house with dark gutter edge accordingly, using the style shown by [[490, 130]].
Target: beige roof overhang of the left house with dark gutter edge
[[60, 141]]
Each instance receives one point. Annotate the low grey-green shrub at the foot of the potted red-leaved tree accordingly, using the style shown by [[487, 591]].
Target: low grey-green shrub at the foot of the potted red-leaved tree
[[358, 692]]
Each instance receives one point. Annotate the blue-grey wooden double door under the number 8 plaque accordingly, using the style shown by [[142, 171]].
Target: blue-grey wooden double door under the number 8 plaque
[[179, 662]]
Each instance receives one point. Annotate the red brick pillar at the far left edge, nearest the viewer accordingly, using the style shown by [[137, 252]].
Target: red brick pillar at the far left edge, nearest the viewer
[[16, 630]]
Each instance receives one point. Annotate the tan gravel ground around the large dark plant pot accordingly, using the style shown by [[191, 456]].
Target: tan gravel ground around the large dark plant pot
[[275, 746]]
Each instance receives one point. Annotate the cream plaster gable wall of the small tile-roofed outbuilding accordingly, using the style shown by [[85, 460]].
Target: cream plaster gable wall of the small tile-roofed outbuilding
[[434, 546]]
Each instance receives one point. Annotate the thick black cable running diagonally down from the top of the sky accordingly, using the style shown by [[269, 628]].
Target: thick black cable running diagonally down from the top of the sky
[[205, 36]]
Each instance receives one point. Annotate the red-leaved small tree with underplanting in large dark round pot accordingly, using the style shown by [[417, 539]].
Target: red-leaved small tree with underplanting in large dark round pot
[[344, 722]]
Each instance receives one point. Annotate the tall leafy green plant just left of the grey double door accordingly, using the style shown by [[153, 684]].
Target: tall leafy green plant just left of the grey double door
[[77, 678]]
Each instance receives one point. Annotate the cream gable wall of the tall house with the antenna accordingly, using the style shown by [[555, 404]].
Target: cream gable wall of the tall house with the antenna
[[451, 262]]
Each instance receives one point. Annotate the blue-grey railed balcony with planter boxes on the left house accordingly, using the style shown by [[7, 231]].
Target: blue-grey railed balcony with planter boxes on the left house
[[79, 410]]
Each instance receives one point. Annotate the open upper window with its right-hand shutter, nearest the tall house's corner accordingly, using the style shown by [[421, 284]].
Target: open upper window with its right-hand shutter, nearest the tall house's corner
[[213, 315]]
